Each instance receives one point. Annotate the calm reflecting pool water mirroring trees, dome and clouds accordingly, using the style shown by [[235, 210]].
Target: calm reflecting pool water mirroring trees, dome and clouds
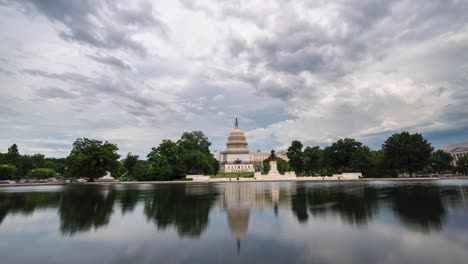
[[359, 222]]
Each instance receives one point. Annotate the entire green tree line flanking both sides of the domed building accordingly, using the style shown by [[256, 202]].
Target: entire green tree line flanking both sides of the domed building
[[171, 160]]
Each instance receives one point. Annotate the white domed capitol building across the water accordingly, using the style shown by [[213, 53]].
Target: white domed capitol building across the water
[[238, 158]]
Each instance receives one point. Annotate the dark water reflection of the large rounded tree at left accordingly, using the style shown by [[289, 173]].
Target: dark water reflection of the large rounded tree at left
[[82, 208]]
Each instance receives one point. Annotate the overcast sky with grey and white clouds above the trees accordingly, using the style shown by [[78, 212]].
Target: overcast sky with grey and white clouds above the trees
[[137, 72]]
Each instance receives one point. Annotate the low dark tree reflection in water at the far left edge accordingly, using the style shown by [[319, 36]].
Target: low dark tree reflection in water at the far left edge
[[25, 202]]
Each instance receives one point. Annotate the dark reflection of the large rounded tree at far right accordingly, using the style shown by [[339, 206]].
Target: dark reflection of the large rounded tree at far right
[[419, 207]]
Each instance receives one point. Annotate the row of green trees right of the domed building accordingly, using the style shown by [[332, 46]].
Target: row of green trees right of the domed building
[[401, 153]]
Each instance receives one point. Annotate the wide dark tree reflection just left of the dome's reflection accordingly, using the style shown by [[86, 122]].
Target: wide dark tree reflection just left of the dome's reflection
[[175, 205]]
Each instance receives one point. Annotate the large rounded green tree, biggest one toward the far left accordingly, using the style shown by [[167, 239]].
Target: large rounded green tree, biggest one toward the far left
[[92, 158]]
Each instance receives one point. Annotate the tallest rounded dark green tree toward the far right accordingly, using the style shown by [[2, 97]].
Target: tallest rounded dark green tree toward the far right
[[407, 152]]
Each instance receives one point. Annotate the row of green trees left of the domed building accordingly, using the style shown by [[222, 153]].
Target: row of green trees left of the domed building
[[92, 159]]
